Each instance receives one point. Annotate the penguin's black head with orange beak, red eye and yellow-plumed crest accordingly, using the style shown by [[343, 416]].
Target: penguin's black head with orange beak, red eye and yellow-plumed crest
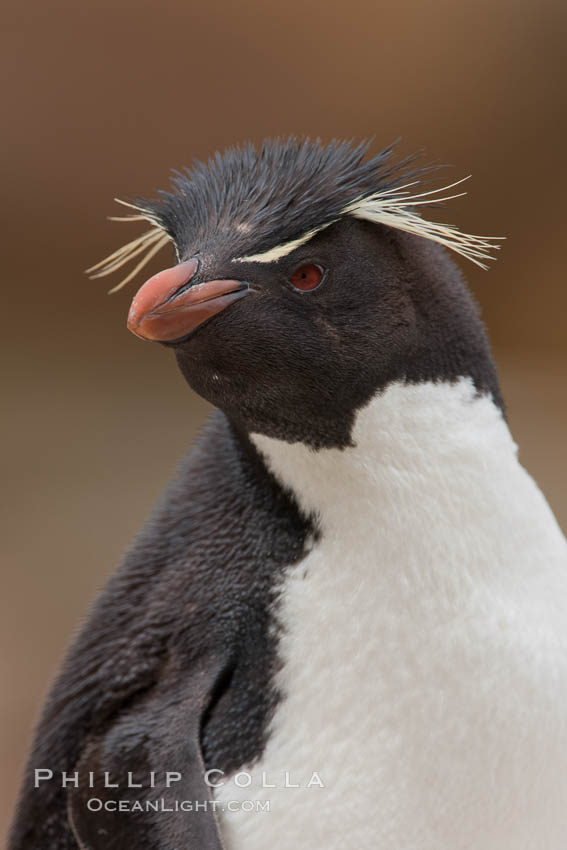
[[306, 282]]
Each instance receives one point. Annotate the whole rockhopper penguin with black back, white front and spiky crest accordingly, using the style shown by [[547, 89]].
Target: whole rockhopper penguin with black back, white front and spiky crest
[[351, 602]]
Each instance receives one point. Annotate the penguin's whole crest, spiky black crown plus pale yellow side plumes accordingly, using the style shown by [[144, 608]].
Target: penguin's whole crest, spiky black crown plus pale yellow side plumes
[[247, 202]]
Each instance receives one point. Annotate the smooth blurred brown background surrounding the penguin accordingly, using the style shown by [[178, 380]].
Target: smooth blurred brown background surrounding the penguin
[[101, 99]]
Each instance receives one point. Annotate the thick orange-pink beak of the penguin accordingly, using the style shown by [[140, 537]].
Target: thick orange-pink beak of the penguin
[[166, 308]]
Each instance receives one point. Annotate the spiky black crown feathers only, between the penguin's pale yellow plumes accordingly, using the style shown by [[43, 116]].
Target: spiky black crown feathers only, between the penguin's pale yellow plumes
[[249, 201]]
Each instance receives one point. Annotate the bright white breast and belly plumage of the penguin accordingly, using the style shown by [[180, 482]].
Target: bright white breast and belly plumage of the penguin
[[424, 643]]
